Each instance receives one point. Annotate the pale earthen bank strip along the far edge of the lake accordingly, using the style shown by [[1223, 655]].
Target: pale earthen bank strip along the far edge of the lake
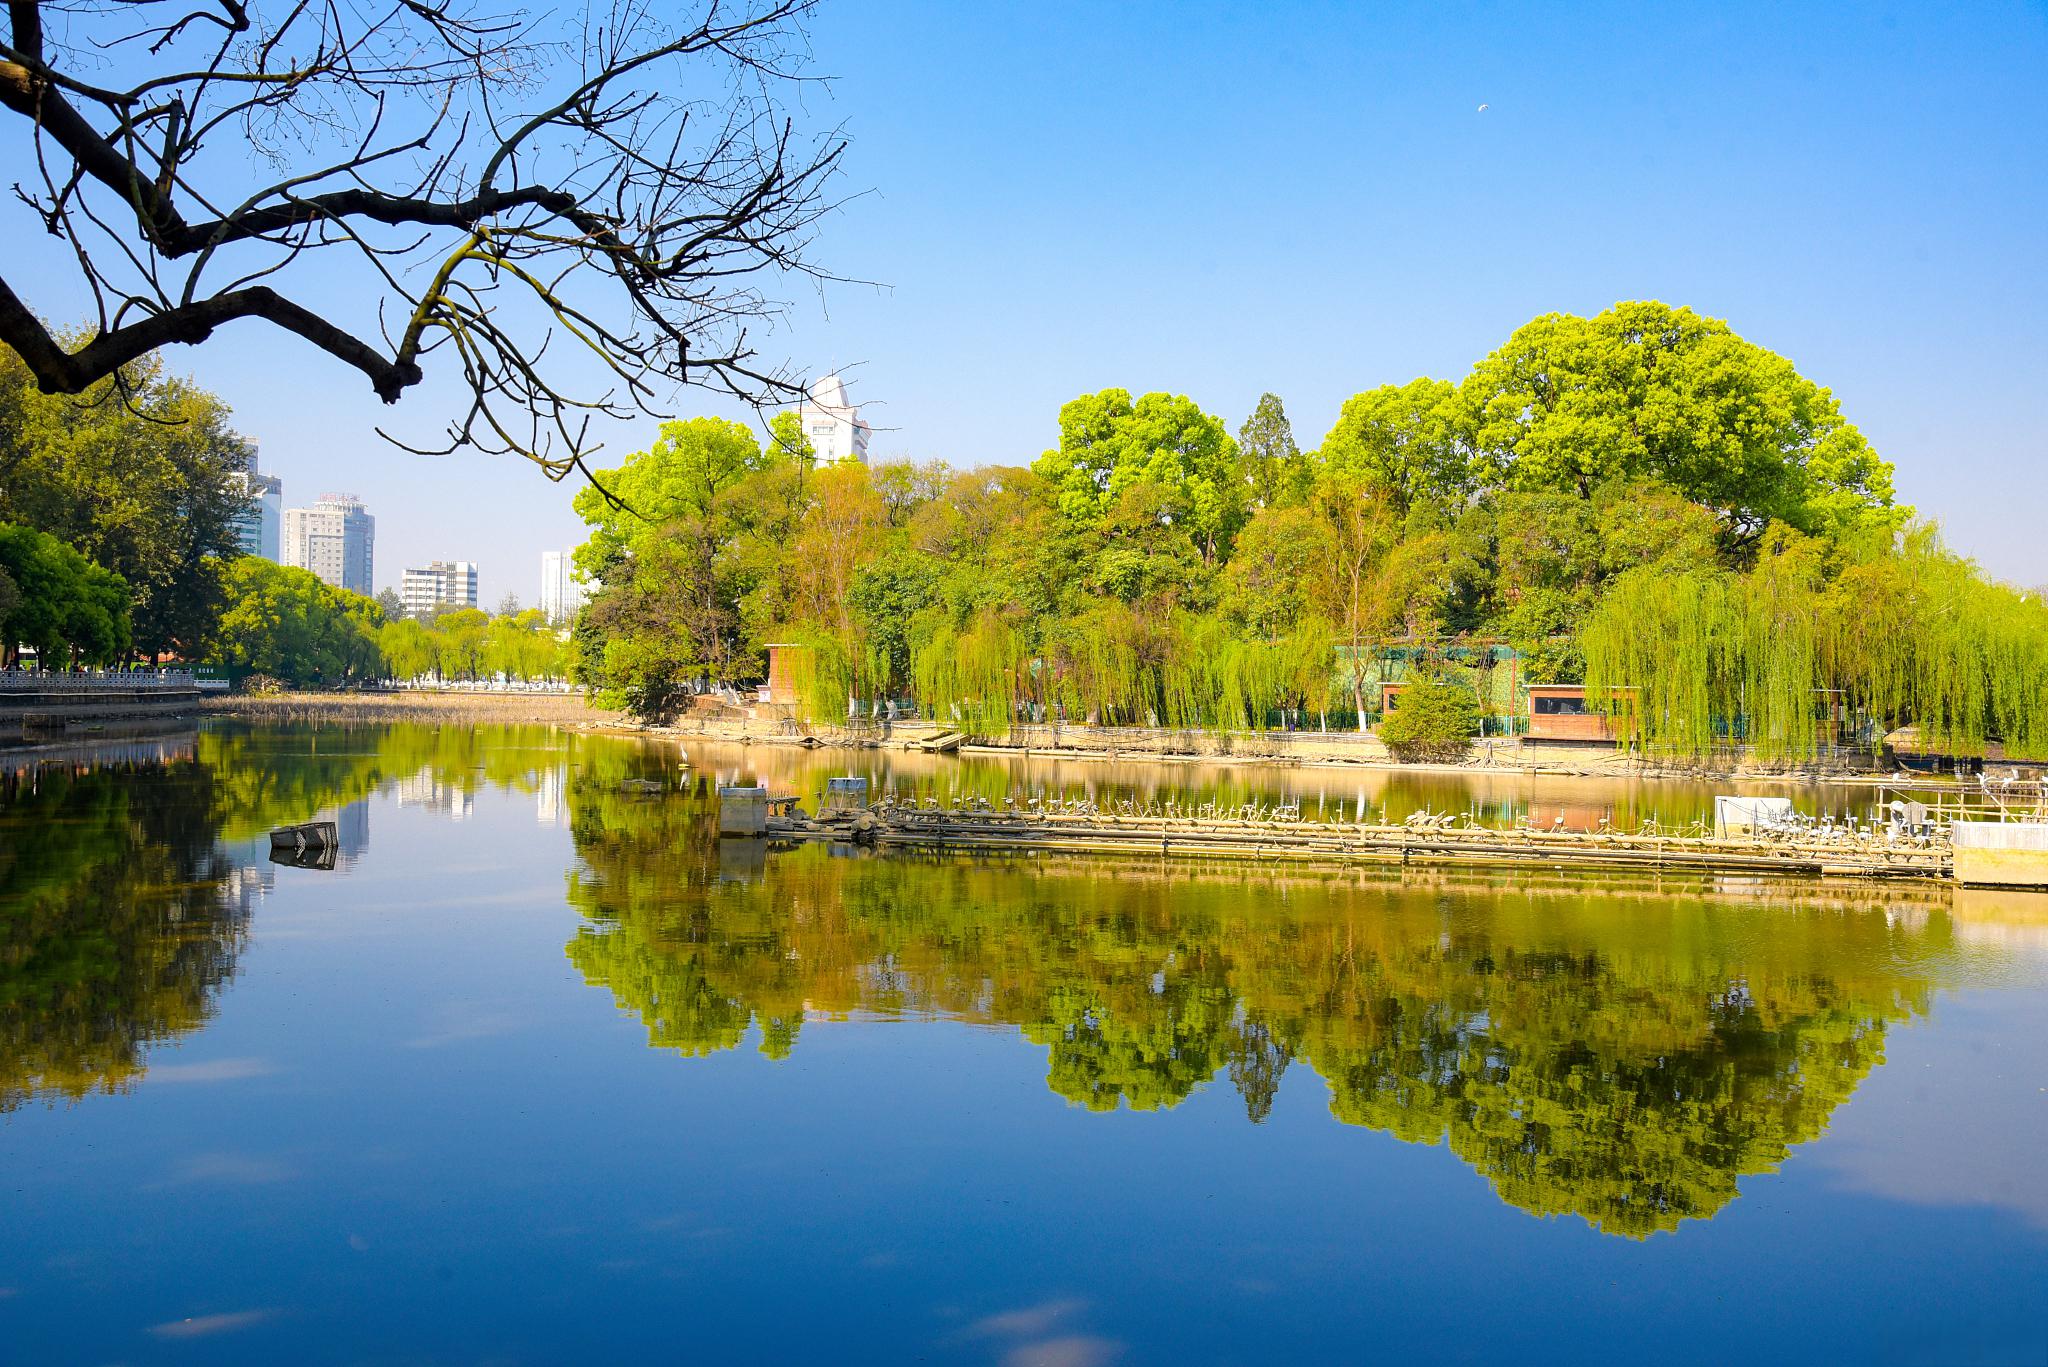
[[1082, 745]]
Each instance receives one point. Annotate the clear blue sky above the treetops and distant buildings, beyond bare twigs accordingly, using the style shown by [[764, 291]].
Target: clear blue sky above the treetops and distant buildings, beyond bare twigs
[[1224, 200]]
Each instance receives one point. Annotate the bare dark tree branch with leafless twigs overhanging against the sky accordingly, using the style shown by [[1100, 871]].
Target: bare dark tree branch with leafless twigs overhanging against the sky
[[626, 181]]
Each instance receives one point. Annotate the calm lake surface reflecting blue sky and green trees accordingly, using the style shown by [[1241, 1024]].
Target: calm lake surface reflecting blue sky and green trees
[[544, 1073]]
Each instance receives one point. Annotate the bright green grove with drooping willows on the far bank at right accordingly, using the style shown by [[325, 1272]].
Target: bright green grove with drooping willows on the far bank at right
[[1639, 501]]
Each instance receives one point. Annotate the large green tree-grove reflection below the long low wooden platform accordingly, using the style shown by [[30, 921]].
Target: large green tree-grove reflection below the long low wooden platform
[[1621, 1052]]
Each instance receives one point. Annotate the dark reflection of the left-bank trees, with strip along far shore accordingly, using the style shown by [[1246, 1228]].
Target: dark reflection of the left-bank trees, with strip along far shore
[[122, 913]]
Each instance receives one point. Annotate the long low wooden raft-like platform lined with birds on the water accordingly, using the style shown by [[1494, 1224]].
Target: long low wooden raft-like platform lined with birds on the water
[[1340, 843]]
